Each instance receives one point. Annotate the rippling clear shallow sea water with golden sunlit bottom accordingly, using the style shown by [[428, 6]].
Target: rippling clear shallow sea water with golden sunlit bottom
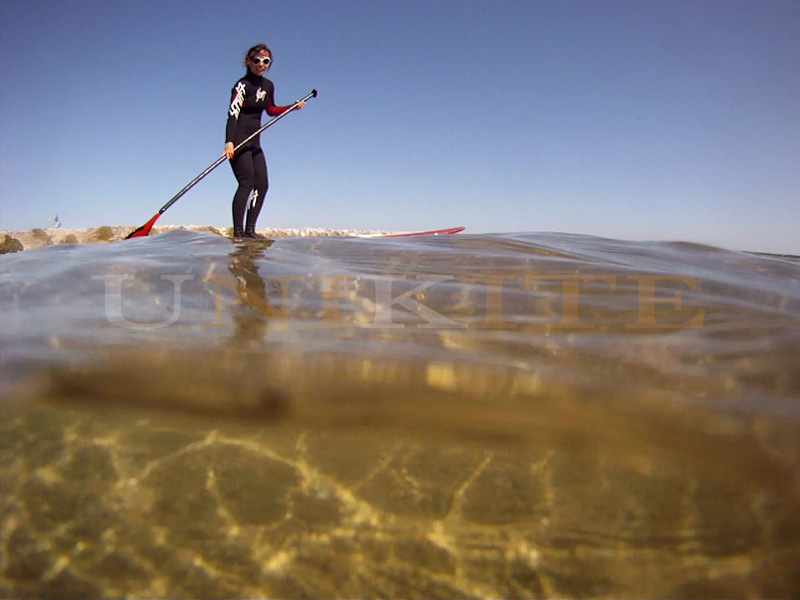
[[526, 415]]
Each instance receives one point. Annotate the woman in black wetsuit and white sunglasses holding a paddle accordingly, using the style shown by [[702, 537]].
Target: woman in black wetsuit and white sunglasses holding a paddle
[[251, 95]]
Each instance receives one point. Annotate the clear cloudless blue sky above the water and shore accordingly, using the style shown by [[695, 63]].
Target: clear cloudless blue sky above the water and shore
[[641, 119]]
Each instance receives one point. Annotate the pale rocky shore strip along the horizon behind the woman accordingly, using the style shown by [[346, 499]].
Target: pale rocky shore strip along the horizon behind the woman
[[14, 241]]
